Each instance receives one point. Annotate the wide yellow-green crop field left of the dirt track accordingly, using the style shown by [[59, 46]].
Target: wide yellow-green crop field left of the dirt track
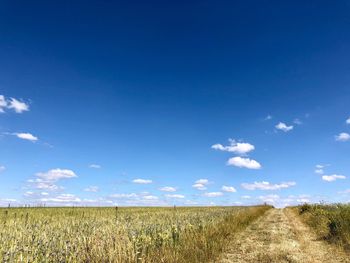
[[196, 234]]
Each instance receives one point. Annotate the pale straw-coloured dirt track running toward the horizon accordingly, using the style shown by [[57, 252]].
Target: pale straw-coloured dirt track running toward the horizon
[[279, 236]]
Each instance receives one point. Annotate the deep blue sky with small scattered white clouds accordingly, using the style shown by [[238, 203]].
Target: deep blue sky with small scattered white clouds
[[186, 103]]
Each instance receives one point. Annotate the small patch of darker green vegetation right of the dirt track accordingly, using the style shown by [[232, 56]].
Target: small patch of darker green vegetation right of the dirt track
[[331, 222]]
